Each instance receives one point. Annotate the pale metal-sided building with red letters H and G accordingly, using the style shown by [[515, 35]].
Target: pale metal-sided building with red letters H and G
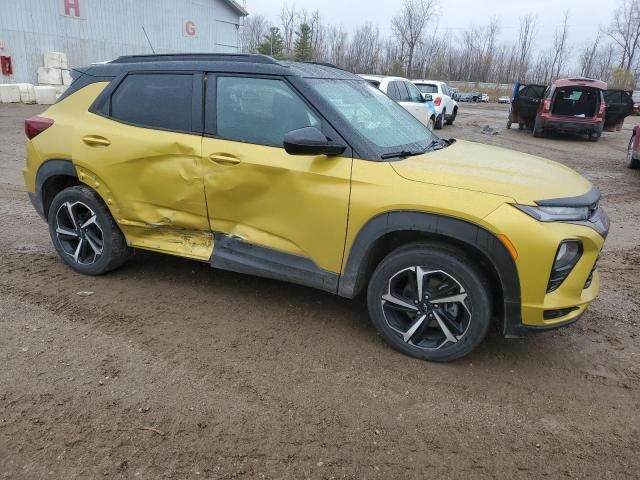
[[90, 31]]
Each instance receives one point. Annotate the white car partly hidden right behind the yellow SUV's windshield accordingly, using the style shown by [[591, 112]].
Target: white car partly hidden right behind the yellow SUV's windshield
[[406, 94]]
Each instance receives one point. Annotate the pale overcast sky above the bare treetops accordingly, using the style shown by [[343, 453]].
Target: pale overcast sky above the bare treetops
[[455, 15]]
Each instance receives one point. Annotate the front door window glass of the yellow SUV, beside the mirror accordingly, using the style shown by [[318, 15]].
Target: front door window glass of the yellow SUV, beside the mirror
[[259, 111]]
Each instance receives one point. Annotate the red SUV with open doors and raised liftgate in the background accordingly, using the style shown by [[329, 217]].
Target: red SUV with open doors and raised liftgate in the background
[[574, 105]]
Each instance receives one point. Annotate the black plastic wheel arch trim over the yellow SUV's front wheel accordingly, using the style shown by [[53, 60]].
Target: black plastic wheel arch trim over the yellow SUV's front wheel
[[392, 230]]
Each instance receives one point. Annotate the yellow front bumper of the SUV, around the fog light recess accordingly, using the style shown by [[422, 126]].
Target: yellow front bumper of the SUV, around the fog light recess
[[537, 244]]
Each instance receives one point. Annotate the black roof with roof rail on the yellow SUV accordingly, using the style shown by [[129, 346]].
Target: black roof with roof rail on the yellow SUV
[[218, 62]]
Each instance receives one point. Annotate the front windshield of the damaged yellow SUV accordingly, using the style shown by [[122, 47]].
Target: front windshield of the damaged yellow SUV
[[383, 123]]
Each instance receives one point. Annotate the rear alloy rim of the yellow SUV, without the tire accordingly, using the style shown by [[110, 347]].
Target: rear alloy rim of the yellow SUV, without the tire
[[79, 233]]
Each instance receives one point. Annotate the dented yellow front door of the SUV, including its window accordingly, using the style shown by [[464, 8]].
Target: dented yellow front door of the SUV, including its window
[[272, 213]]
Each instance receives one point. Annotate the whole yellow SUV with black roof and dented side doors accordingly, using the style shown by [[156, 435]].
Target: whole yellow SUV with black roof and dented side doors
[[306, 173]]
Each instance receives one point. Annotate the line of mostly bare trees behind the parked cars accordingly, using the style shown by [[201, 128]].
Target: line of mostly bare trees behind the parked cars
[[418, 47]]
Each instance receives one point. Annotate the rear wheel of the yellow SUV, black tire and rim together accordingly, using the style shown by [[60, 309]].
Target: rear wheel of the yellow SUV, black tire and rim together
[[70, 210]]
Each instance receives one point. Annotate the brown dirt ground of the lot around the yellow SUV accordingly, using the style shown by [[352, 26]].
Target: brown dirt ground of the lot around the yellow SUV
[[247, 378]]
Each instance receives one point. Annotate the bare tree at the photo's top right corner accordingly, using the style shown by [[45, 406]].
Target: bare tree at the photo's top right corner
[[624, 30]]
